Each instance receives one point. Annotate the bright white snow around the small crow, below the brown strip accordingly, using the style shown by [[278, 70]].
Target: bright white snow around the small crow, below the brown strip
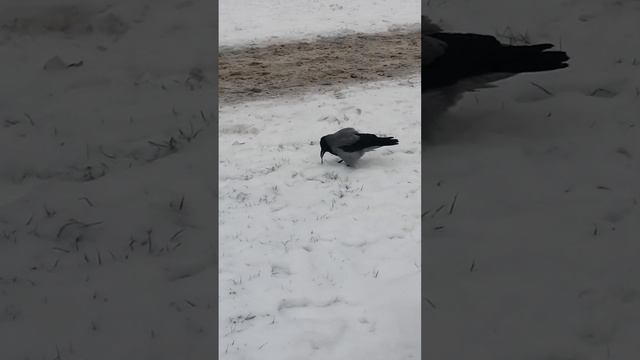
[[319, 260]]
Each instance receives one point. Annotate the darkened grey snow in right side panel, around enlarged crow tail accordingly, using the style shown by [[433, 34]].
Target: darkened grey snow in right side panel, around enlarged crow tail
[[539, 258]]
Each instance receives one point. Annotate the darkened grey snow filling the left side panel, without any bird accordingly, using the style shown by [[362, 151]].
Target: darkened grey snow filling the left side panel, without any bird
[[100, 256]]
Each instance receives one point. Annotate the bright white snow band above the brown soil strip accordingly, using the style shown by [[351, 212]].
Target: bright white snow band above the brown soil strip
[[254, 21]]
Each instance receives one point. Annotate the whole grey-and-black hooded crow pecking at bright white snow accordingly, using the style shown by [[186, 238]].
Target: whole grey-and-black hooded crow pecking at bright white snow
[[350, 145]]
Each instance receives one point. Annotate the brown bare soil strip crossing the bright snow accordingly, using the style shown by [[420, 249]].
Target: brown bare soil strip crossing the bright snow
[[253, 73]]
